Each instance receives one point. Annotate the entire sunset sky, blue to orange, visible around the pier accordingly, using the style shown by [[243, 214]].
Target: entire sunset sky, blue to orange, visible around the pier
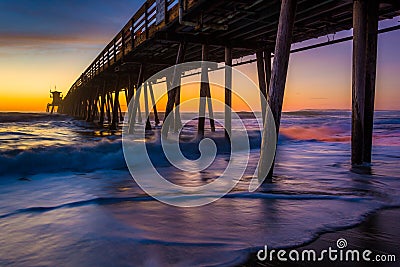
[[48, 43]]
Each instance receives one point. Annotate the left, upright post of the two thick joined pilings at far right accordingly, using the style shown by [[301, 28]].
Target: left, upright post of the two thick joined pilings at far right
[[359, 76]]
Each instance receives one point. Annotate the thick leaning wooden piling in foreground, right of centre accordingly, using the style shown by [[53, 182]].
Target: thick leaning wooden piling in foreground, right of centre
[[278, 77]]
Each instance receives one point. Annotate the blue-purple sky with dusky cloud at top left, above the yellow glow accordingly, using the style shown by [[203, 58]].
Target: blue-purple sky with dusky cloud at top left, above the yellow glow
[[27, 23]]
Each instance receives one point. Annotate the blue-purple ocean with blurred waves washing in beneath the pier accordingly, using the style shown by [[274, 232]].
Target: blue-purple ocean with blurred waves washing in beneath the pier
[[68, 199]]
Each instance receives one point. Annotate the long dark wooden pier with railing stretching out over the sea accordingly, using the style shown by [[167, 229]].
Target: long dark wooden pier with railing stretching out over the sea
[[163, 33]]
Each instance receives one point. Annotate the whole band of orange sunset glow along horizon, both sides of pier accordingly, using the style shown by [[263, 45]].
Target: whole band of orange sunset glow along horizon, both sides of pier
[[317, 79]]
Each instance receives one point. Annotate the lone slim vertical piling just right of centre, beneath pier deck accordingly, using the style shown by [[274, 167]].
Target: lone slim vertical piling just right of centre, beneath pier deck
[[228, 91]]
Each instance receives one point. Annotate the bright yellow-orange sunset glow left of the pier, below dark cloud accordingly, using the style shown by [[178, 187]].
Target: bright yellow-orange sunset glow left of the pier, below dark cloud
[[26, 77]]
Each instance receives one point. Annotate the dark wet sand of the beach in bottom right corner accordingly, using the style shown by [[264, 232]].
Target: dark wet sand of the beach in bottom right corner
[[379, 232]]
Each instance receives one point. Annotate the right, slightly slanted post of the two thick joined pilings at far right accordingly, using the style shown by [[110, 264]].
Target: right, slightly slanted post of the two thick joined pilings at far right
[[372, 48]]
